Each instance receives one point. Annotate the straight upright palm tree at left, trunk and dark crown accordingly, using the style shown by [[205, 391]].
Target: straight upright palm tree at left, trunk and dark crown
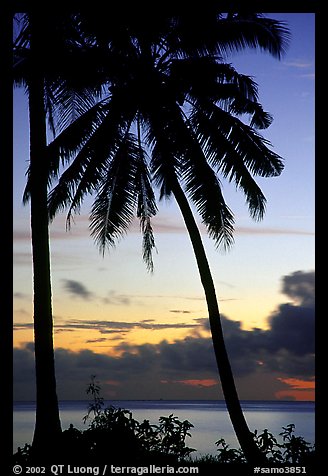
[[43, 74]]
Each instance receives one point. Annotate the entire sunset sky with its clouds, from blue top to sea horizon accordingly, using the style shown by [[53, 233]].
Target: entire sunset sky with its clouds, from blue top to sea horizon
[[146, 336]]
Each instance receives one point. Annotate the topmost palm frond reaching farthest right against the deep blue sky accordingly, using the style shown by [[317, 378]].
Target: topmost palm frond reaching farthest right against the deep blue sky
[[205, 32]]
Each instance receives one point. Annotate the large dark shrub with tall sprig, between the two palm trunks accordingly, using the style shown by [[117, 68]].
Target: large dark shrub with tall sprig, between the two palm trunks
[[115, 433]]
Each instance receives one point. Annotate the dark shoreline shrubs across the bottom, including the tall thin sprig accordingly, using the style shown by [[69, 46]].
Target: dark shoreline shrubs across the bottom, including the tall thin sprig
[[114, 436]]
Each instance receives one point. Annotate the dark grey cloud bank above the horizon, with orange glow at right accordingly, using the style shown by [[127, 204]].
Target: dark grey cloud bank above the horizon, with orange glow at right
[[271, 363]]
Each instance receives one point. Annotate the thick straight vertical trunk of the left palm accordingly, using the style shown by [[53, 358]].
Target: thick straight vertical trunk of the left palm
[[47, 425]]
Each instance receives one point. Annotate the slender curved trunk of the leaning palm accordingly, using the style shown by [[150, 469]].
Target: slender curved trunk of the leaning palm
[[246, 441]]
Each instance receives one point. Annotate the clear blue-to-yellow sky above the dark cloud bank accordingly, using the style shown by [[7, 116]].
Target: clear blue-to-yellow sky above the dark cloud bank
[[249, 279]]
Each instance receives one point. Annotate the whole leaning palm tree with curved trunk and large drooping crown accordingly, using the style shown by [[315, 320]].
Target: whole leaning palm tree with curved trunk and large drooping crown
[[172, 118]]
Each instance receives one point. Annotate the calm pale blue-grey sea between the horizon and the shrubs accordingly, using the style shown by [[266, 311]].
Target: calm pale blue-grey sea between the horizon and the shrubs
[[210, 419]]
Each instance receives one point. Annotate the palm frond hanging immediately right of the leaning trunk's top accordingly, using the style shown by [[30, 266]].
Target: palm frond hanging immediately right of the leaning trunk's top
[[185, 154]]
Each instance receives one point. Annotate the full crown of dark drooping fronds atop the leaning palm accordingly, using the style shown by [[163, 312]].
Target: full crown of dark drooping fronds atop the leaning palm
[[172, 74]]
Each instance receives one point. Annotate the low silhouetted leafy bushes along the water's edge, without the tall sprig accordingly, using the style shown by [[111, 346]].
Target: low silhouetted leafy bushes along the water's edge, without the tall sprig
[[115, 436]]
